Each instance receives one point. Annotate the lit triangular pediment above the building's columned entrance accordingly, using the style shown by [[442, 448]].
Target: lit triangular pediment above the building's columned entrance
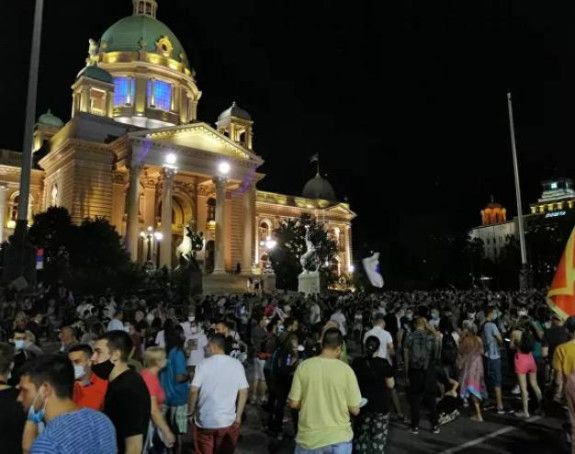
[[202, 137]]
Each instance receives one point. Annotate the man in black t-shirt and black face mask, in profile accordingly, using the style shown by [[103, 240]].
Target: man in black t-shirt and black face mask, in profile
[[127, 402]]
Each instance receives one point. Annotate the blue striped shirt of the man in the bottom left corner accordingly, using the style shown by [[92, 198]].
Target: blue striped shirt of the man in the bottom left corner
[[85, 431]]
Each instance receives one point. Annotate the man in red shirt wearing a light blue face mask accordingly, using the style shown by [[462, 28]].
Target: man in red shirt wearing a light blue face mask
[[89, 389]]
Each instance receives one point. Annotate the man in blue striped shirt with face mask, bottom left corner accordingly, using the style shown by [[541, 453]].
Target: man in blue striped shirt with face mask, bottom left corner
[[46, 389]]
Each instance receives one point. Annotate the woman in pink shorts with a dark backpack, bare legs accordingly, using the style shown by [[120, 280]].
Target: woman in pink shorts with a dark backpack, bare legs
[[523, 343]]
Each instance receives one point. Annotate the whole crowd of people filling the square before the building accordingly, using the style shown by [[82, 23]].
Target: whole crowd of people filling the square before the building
[[109, 374]]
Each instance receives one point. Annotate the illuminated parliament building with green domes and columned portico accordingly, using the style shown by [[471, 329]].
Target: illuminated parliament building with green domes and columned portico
[[135, 153]]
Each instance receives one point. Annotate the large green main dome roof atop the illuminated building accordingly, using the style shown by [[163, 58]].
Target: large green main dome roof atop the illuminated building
[[127, 34]]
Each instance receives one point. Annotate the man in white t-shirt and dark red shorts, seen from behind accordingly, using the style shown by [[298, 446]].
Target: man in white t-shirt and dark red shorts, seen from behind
[[219, 382]]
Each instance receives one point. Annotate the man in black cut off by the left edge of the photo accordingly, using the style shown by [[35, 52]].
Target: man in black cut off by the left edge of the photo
[[12, 417]]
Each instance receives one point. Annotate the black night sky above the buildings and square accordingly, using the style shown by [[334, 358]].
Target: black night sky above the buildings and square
[[405, 101]]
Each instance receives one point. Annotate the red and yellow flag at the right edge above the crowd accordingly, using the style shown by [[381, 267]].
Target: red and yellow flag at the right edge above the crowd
[[561, 296]]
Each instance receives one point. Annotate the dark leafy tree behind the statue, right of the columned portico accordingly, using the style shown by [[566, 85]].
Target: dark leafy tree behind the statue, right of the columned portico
[[291, 245]]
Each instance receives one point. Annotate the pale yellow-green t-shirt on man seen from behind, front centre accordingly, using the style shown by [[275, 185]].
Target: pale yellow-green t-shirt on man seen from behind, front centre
[[326, 388]]
